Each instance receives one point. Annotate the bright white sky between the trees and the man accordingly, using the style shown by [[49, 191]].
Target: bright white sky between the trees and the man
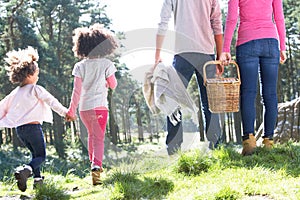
[[138, 19]]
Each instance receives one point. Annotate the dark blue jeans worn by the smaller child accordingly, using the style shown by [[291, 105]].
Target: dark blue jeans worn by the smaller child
[[32, 137]]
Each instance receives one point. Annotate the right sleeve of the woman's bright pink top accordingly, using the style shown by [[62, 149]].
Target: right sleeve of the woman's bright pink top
[[279, 21]]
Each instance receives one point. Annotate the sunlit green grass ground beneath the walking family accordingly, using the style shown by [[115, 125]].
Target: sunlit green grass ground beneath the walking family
[[195, 174]]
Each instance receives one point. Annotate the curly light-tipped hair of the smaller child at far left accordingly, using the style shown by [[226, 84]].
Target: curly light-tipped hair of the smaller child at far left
[[21, 64]]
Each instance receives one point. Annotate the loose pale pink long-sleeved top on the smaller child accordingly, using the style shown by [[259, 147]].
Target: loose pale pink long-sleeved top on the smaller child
[[27, 104]]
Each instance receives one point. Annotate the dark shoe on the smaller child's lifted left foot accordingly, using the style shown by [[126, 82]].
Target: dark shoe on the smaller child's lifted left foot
[[22, 173]]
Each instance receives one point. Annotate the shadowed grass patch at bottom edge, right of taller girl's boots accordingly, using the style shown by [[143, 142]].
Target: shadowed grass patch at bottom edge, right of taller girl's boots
[[130, 186]]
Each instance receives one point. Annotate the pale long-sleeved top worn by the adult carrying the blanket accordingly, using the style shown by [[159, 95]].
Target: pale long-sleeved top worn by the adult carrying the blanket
[[195, 23]]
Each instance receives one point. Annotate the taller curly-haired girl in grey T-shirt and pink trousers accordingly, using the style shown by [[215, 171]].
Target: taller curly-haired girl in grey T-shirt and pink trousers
[[94, 74]]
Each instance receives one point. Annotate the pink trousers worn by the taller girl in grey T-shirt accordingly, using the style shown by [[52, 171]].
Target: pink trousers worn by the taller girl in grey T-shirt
[[95, 122]]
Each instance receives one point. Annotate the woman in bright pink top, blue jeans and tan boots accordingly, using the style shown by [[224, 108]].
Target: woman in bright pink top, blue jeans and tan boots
[[259, 50]]
